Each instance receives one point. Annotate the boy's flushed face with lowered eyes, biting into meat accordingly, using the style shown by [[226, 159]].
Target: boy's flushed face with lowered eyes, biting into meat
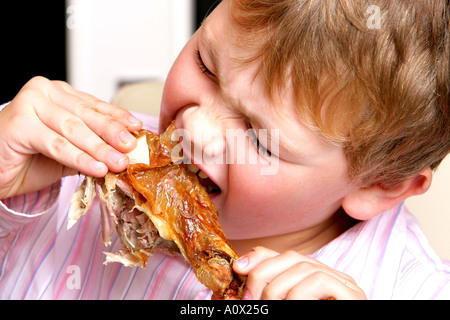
[[307, 177]]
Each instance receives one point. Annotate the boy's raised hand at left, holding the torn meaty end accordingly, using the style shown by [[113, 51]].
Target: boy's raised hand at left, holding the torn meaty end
[[50, 130]]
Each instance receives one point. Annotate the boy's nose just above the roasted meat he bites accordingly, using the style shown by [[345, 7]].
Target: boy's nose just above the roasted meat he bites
[[205, 134]]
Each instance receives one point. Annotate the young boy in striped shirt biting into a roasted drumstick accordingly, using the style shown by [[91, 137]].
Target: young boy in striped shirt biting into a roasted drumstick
[[355, 98]]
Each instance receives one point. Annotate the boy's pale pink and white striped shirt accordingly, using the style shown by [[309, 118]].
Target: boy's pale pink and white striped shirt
[[388, 256]]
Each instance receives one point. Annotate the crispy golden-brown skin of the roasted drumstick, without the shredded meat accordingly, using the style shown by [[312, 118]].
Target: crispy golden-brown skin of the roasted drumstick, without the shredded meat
[[181, 210]]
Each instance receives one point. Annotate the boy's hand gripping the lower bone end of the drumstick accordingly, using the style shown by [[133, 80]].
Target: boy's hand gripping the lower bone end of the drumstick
[[290, 275]]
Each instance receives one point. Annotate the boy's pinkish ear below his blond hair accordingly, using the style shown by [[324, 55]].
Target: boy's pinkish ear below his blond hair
[[364, 203]]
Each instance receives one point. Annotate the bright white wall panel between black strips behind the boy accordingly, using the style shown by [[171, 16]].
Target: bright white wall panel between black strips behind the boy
[[110, 42]]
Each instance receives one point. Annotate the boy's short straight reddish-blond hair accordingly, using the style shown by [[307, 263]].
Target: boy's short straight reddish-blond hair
[[371, 75]]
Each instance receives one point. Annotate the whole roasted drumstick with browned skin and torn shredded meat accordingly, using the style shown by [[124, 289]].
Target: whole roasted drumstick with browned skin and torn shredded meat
[[161, 206]]
